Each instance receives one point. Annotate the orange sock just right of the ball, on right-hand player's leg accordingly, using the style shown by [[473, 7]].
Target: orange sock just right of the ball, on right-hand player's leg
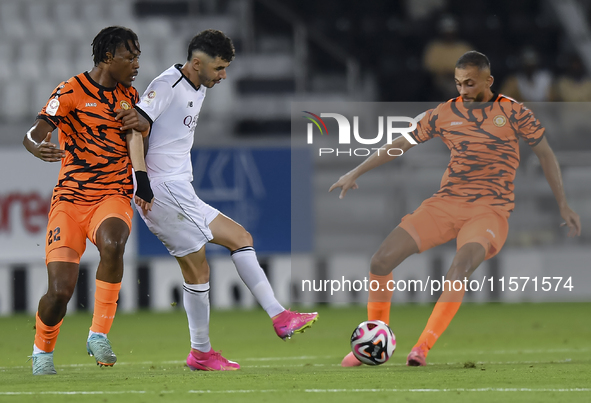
[[444, 311]]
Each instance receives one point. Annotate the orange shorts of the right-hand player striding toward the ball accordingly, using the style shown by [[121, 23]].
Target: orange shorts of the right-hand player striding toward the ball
[[439, 220]]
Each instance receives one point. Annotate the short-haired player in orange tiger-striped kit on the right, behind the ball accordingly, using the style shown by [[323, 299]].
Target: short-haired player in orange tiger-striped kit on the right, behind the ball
[[482, 130]]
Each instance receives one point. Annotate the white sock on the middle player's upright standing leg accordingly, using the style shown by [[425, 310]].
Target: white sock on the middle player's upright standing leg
[[196, 303]]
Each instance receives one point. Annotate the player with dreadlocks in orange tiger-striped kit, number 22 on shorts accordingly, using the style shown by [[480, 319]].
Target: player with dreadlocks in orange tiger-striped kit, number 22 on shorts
[[100, 139]]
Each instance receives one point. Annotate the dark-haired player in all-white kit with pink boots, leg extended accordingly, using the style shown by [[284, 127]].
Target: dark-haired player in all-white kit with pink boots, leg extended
[[182, 221]]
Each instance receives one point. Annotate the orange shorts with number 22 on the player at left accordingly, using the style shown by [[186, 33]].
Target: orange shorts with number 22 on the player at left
[[70, 224]]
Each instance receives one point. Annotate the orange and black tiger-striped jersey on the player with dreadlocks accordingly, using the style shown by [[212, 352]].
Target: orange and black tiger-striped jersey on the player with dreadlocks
[[97, 163]]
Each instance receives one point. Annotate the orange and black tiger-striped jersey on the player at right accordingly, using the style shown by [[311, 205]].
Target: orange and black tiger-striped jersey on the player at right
[[484, 145]]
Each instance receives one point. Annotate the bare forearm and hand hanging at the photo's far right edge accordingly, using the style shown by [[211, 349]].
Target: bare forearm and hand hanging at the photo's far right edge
[[552, 173]]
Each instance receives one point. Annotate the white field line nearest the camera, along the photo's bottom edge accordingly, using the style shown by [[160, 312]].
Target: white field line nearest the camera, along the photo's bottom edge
[[239, 391]]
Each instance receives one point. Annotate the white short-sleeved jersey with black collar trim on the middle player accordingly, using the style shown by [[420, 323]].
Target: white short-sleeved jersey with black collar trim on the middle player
[[172, 104]]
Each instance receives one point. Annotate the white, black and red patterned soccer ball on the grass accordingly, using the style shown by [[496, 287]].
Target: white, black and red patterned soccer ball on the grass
[[373, 342]]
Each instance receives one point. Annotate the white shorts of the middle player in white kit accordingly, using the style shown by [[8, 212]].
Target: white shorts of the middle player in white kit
[[179, 218]]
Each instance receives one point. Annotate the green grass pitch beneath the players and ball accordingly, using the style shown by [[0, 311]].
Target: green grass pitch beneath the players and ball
[[492, 352]]
